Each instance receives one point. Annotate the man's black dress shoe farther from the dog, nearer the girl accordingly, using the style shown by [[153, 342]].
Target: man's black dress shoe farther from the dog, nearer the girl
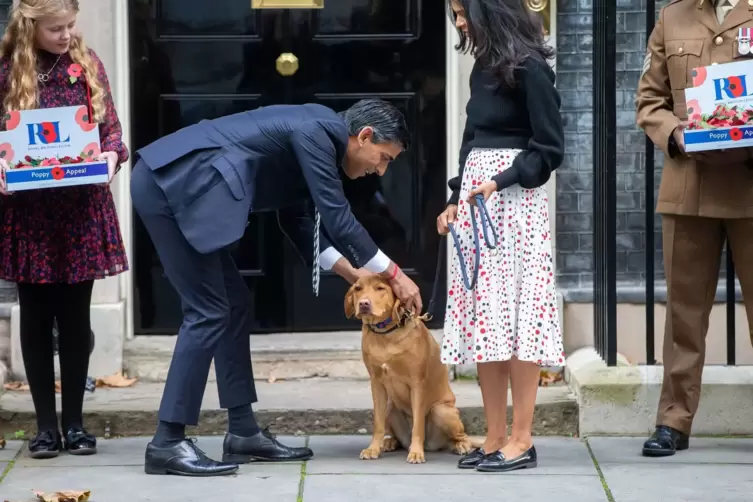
[[184, 459]]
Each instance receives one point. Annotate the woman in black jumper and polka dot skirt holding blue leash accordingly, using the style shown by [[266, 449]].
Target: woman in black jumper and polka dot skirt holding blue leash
[[508, 323]]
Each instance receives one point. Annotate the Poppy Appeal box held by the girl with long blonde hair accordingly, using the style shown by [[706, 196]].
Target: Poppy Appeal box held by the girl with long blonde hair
[[51, 147]]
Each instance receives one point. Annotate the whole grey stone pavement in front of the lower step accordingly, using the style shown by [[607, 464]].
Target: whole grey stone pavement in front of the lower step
[[598, 470]]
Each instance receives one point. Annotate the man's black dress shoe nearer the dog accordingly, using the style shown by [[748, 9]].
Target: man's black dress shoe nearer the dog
[[261, 447]]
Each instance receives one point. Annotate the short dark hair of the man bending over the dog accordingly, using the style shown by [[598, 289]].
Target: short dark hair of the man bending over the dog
[[387, 122]]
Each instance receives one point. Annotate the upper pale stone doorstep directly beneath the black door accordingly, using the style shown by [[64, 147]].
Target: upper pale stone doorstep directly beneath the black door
[[281, 356]]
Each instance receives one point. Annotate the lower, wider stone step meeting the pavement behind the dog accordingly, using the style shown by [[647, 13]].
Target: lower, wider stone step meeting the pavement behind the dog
[[310, 406]]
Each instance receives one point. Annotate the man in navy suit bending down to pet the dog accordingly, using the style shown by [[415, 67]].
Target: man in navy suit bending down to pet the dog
[[194, 190]]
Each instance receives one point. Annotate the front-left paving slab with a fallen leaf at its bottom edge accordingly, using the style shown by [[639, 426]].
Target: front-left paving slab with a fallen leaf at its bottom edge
[[129, 484]]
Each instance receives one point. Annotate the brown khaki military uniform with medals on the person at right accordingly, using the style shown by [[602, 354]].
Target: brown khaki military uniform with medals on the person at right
[[702, 198]]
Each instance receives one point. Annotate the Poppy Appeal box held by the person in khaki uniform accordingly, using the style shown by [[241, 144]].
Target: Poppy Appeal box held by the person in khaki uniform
[[720, 107]]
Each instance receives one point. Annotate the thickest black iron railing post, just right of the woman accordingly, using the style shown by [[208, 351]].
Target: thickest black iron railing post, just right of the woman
[[605, 178]]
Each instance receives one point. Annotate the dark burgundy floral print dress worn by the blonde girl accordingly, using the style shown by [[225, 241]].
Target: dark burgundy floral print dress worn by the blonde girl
[[70, 234]]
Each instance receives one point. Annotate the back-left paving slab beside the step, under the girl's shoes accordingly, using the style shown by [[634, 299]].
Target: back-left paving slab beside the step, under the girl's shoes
[[129, 452]]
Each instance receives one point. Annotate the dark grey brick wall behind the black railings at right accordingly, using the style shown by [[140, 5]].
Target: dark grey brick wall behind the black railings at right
[[575, 262]]
